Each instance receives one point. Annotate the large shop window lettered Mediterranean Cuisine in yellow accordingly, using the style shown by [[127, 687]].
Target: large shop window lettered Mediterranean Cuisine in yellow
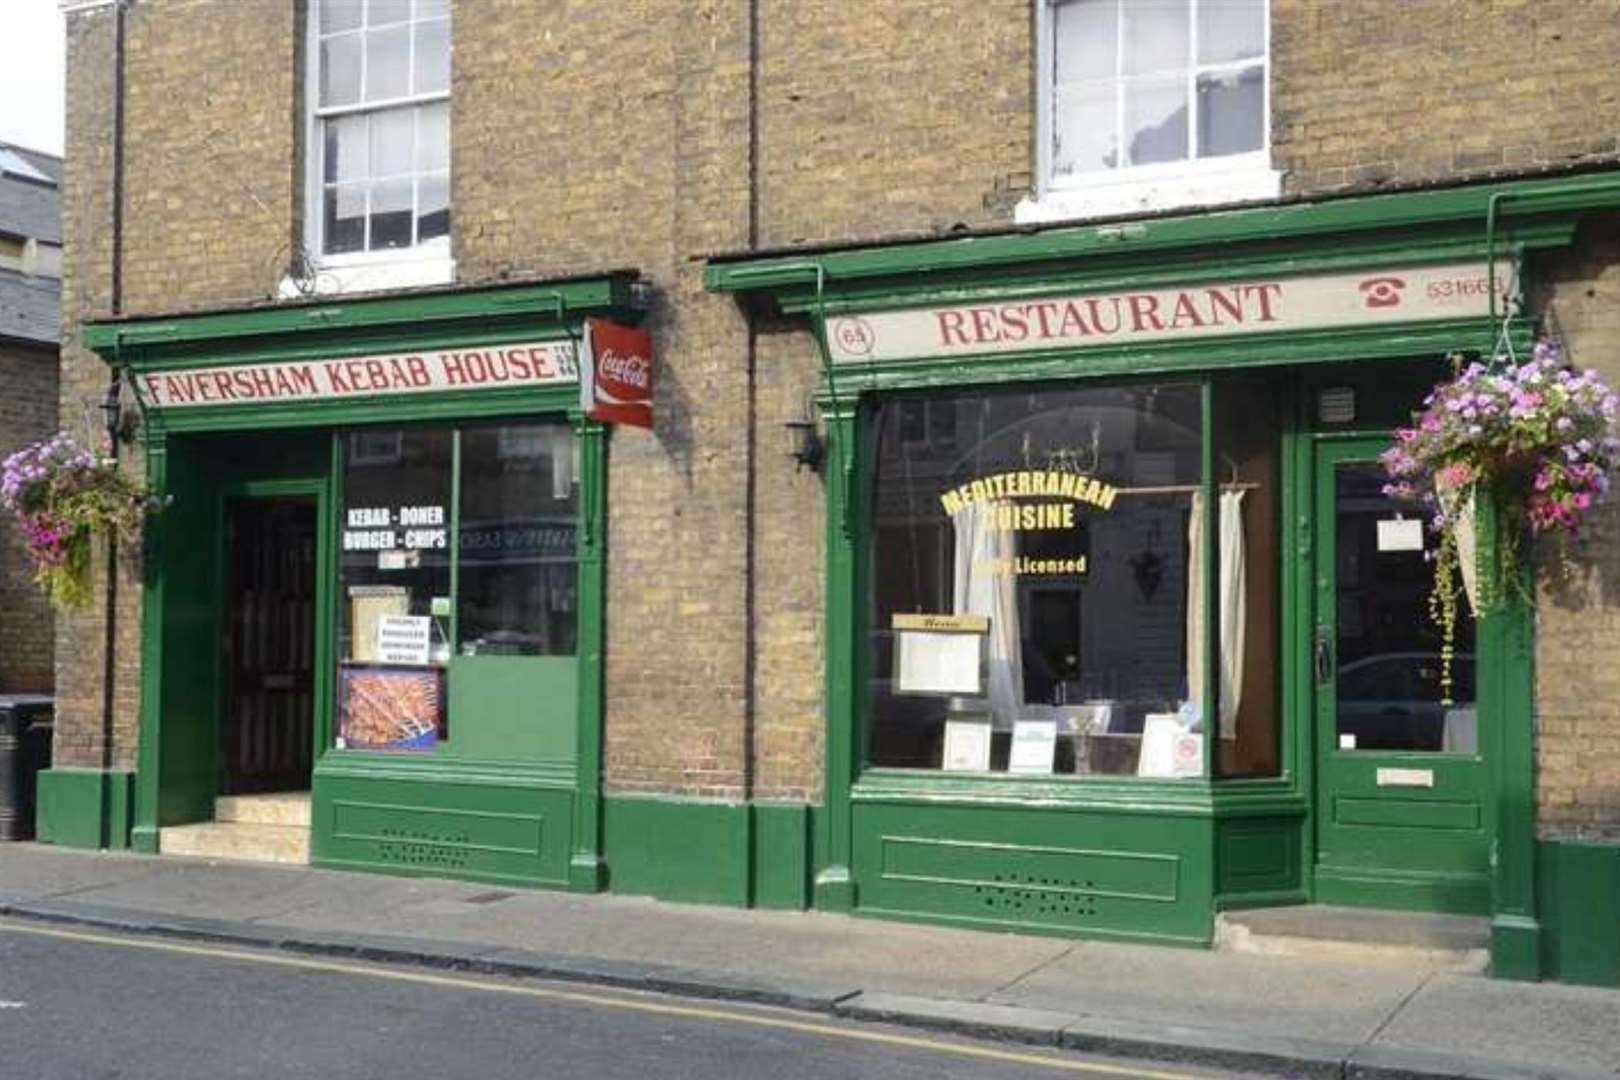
[[1038, 584]]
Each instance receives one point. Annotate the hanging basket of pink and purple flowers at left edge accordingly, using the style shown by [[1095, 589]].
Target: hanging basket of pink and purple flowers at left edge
[[62, 498]]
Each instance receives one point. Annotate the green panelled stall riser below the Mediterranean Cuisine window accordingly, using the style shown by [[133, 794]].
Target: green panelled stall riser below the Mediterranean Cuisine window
[[1055, 870]]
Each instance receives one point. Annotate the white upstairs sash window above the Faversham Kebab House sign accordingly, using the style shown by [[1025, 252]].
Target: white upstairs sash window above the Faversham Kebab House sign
[[380, 130]]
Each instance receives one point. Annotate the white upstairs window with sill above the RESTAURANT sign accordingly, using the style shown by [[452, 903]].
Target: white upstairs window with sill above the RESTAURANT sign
[[1148, 104]]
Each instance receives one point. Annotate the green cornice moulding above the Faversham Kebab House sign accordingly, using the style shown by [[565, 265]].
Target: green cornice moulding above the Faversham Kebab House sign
[[296, 330]]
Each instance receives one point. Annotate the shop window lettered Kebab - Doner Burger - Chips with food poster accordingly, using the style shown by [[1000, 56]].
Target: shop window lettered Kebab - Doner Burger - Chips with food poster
[[458, 545]]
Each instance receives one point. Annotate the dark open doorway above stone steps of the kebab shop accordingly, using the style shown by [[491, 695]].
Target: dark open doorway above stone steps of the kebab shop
[[268, 731]]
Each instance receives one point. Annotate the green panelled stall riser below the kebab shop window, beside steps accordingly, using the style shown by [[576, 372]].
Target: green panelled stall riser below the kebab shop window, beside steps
[[511, 830]]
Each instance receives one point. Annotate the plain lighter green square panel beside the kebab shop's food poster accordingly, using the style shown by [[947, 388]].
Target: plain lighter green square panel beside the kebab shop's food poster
[[513, 708]]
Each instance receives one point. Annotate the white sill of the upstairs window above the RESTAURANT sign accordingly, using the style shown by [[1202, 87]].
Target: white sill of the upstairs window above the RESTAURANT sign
[[1148, 195]]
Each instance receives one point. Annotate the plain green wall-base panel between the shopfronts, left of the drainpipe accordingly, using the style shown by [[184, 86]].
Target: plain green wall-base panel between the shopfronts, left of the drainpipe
[[678, 849]]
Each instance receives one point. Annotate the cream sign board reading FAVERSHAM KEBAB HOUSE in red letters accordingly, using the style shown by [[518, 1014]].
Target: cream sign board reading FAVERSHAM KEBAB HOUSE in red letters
[[480, 368]]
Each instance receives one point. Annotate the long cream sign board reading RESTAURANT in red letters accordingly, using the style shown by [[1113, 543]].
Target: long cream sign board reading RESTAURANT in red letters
[[1170, 315]]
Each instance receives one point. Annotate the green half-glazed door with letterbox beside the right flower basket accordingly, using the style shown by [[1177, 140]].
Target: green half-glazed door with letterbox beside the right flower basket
[[1402, 781]]
